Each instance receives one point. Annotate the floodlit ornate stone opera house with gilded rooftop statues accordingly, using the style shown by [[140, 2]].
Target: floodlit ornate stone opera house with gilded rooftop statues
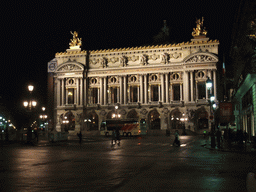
[[163, 85]]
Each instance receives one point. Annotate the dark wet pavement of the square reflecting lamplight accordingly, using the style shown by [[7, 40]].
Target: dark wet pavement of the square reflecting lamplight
[[138, 164]]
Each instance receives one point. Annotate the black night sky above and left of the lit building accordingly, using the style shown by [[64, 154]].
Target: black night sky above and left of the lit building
[[33, 32]]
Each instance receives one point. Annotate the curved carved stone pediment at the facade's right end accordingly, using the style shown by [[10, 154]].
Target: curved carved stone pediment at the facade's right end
[[201, 58]]
